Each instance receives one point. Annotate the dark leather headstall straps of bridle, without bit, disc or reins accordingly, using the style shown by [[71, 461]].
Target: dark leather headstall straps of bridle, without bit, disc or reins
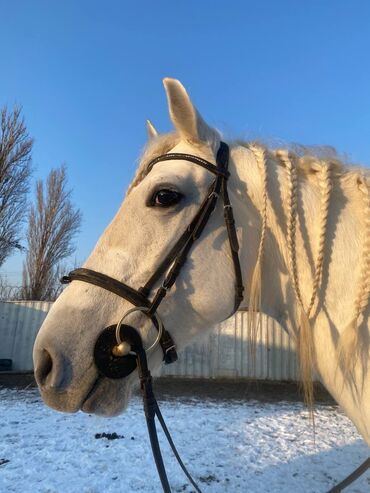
[[172, 264]]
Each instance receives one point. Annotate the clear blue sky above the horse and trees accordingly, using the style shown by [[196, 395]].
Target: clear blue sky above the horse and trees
[[88, 74]]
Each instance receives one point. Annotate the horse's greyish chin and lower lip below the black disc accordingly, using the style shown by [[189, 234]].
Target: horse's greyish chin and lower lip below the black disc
[[107, 397]]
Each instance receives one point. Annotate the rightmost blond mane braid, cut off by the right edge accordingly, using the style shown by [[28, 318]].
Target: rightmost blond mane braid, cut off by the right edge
[[348, 347]]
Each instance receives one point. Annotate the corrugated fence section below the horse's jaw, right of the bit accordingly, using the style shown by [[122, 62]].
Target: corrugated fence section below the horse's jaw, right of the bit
[[227, 353]]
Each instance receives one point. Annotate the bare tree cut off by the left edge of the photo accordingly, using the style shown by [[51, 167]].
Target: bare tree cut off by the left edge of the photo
[[15, 170]]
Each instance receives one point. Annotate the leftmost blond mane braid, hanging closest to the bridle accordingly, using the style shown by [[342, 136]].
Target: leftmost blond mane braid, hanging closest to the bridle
[[254, 309]]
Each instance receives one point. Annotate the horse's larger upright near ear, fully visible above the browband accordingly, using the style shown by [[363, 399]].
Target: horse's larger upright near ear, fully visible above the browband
[[185, 117]]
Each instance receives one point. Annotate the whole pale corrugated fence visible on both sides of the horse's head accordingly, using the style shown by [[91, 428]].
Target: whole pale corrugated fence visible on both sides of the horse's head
[[225, 353]]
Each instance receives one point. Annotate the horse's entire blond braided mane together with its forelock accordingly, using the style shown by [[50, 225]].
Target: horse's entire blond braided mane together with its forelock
[[323, 167]]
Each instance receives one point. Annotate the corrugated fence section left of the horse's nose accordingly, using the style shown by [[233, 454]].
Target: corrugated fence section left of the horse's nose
[[19, 324]]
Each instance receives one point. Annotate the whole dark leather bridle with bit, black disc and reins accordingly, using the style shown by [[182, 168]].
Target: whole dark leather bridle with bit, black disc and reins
[[113, 362]]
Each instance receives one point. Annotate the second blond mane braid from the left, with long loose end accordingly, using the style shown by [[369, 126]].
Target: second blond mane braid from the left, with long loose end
[[304, 333]]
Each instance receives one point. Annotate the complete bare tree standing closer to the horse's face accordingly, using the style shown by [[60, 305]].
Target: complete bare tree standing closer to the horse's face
[[53, 223]]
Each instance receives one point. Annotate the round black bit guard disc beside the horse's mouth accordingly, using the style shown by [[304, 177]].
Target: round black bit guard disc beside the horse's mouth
[[108, 364]]
